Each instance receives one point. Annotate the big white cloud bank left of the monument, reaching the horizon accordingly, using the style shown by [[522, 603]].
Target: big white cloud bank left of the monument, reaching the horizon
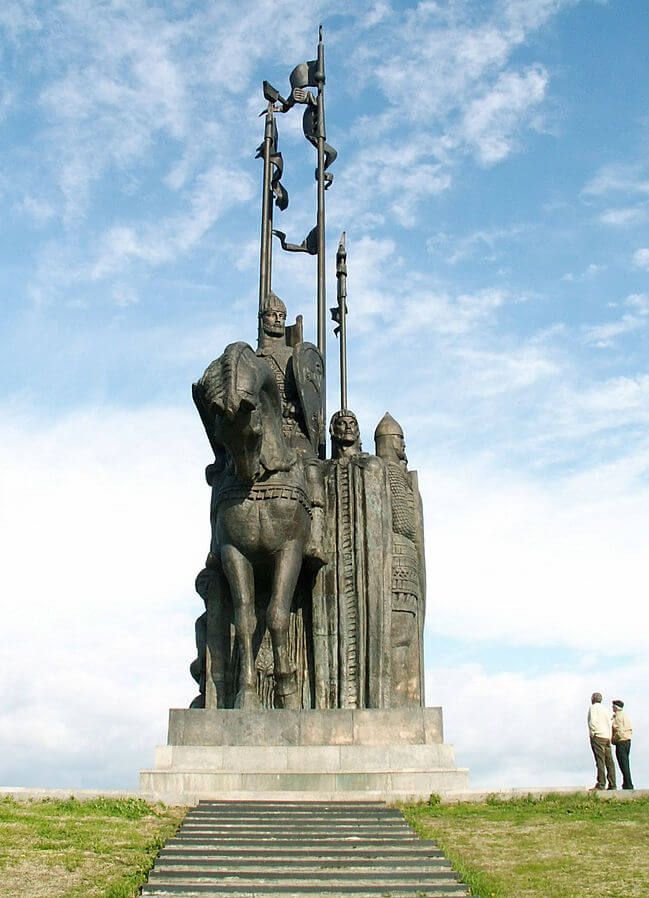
[[104, 524]]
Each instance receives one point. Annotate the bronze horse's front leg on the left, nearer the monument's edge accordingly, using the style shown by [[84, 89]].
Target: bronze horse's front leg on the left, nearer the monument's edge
[[240, 576]]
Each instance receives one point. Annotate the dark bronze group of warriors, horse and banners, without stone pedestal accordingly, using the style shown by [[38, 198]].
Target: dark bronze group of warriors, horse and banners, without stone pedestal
[[314, 583]]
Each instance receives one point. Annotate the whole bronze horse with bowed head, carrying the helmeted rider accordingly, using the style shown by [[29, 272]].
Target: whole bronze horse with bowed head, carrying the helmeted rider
[[260, 510]]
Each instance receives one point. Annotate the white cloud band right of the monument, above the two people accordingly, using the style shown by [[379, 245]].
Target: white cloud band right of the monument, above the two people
[[524, 564]]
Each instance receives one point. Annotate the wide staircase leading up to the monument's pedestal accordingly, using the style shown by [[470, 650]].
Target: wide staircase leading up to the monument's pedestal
[[262, 848]]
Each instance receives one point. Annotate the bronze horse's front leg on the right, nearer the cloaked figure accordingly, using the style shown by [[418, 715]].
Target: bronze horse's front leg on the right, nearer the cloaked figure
[[287, 569]]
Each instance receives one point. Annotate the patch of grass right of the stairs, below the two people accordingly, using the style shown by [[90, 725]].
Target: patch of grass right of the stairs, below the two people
[[555, 847]]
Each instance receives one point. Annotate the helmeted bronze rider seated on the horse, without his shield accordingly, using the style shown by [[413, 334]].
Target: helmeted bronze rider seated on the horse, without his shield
[[279, 356]]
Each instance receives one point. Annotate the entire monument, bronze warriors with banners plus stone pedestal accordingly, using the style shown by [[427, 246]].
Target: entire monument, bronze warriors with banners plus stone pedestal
[[310, 649]]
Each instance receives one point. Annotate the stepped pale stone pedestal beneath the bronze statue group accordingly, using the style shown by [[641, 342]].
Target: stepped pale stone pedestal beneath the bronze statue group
[[315, 755]]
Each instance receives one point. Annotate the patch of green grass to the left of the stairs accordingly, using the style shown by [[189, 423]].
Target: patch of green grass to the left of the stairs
[[66, 849]]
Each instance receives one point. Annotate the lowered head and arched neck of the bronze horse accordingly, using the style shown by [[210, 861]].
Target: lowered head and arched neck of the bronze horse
[[240, 406]]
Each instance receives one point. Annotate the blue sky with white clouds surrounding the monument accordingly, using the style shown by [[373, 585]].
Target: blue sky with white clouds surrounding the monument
[[493, 183]]
